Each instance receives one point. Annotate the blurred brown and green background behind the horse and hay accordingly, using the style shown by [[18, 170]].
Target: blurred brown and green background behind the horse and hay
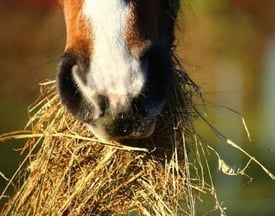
[[228, 48]]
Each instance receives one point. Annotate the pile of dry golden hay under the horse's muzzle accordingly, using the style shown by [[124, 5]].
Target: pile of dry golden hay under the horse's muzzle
[[70, 172]]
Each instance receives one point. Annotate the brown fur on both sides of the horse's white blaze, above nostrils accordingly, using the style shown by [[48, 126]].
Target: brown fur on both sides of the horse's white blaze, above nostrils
[[141, 28]]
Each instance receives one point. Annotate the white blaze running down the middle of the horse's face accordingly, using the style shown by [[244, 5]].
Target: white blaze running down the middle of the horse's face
[[114, 72]]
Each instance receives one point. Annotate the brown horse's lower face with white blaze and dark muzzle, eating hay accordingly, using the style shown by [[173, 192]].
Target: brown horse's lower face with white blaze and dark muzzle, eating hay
[[115, 74]]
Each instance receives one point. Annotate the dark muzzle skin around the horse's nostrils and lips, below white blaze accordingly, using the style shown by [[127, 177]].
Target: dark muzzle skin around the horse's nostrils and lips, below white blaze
[[133, 118]]
